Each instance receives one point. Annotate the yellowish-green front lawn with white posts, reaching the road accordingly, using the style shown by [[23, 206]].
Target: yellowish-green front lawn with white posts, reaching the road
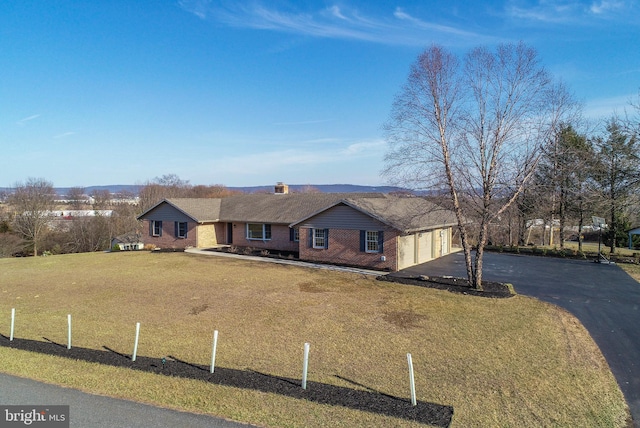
[[497, 362]]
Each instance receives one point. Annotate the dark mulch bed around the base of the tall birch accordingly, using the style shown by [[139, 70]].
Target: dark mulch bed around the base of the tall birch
[[454, 285]]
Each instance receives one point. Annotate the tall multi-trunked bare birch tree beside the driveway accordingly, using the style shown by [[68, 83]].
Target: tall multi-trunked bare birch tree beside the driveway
[[474, 127]]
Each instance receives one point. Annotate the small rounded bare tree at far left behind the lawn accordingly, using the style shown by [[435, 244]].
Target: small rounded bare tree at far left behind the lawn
[[32, 203]]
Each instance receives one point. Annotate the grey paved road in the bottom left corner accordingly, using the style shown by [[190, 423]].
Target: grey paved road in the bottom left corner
[[94, 411]]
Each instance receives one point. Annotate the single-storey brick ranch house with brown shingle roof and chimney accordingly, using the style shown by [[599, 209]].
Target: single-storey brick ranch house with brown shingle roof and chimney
[[371, 230]]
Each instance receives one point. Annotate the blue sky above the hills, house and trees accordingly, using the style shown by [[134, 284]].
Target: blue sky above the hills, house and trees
[[247, 93]]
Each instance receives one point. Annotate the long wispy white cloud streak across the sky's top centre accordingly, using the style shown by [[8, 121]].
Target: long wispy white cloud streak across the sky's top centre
[[337, 22]]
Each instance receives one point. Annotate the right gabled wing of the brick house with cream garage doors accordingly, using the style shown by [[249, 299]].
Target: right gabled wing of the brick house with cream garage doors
[[415, 231]]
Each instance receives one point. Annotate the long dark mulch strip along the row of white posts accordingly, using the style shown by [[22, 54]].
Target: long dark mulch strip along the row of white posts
[[364, 398]]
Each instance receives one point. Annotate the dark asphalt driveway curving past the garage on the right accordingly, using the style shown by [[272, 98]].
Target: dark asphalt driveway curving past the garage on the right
[[603, 297]]
